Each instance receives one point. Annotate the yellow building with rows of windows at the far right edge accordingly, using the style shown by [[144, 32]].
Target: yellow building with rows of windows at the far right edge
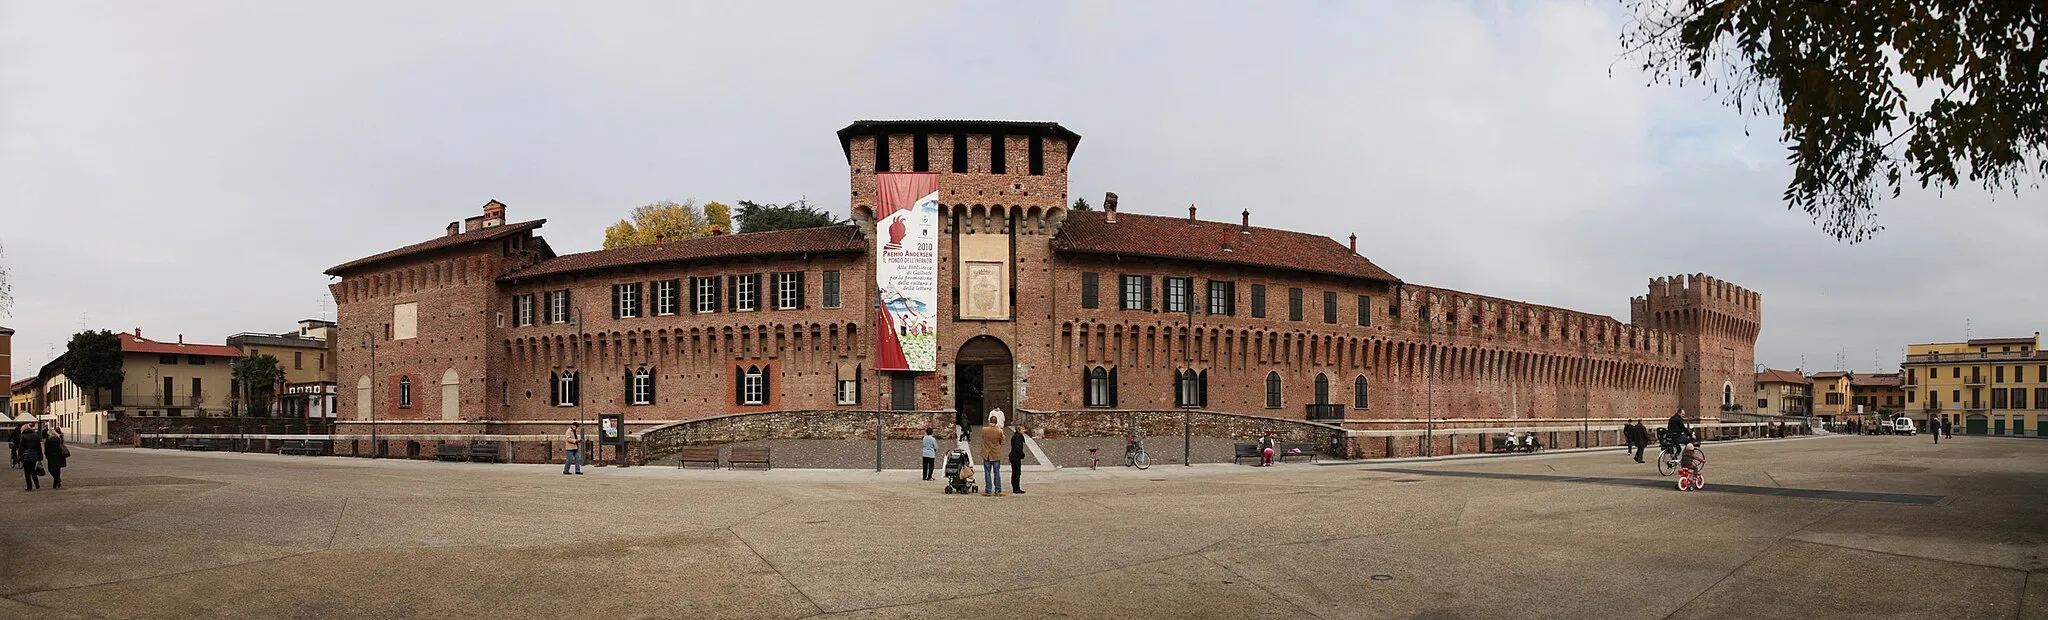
[[1988, 386]]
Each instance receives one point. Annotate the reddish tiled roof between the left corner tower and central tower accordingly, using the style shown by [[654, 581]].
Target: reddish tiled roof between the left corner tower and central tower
[[818, 240]]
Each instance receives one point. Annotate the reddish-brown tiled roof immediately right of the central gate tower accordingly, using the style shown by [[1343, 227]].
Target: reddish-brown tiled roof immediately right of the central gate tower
[[1091, 232]]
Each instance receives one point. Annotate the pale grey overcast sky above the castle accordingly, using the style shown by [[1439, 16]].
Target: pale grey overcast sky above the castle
[[191, 169]]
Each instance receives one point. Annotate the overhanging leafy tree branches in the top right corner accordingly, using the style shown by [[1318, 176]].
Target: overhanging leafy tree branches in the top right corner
[[1871, 91]]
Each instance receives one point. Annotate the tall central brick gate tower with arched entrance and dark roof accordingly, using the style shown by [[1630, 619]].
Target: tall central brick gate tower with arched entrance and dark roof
[[1002, 193]]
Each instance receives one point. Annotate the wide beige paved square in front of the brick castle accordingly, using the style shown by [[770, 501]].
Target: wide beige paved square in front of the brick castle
[[202, 535]]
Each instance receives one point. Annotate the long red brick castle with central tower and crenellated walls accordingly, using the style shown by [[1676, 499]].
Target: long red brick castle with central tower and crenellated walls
[[1422, 353]]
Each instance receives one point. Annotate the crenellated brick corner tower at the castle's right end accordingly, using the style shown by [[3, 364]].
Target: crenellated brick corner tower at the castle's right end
[[1717, 333]]
